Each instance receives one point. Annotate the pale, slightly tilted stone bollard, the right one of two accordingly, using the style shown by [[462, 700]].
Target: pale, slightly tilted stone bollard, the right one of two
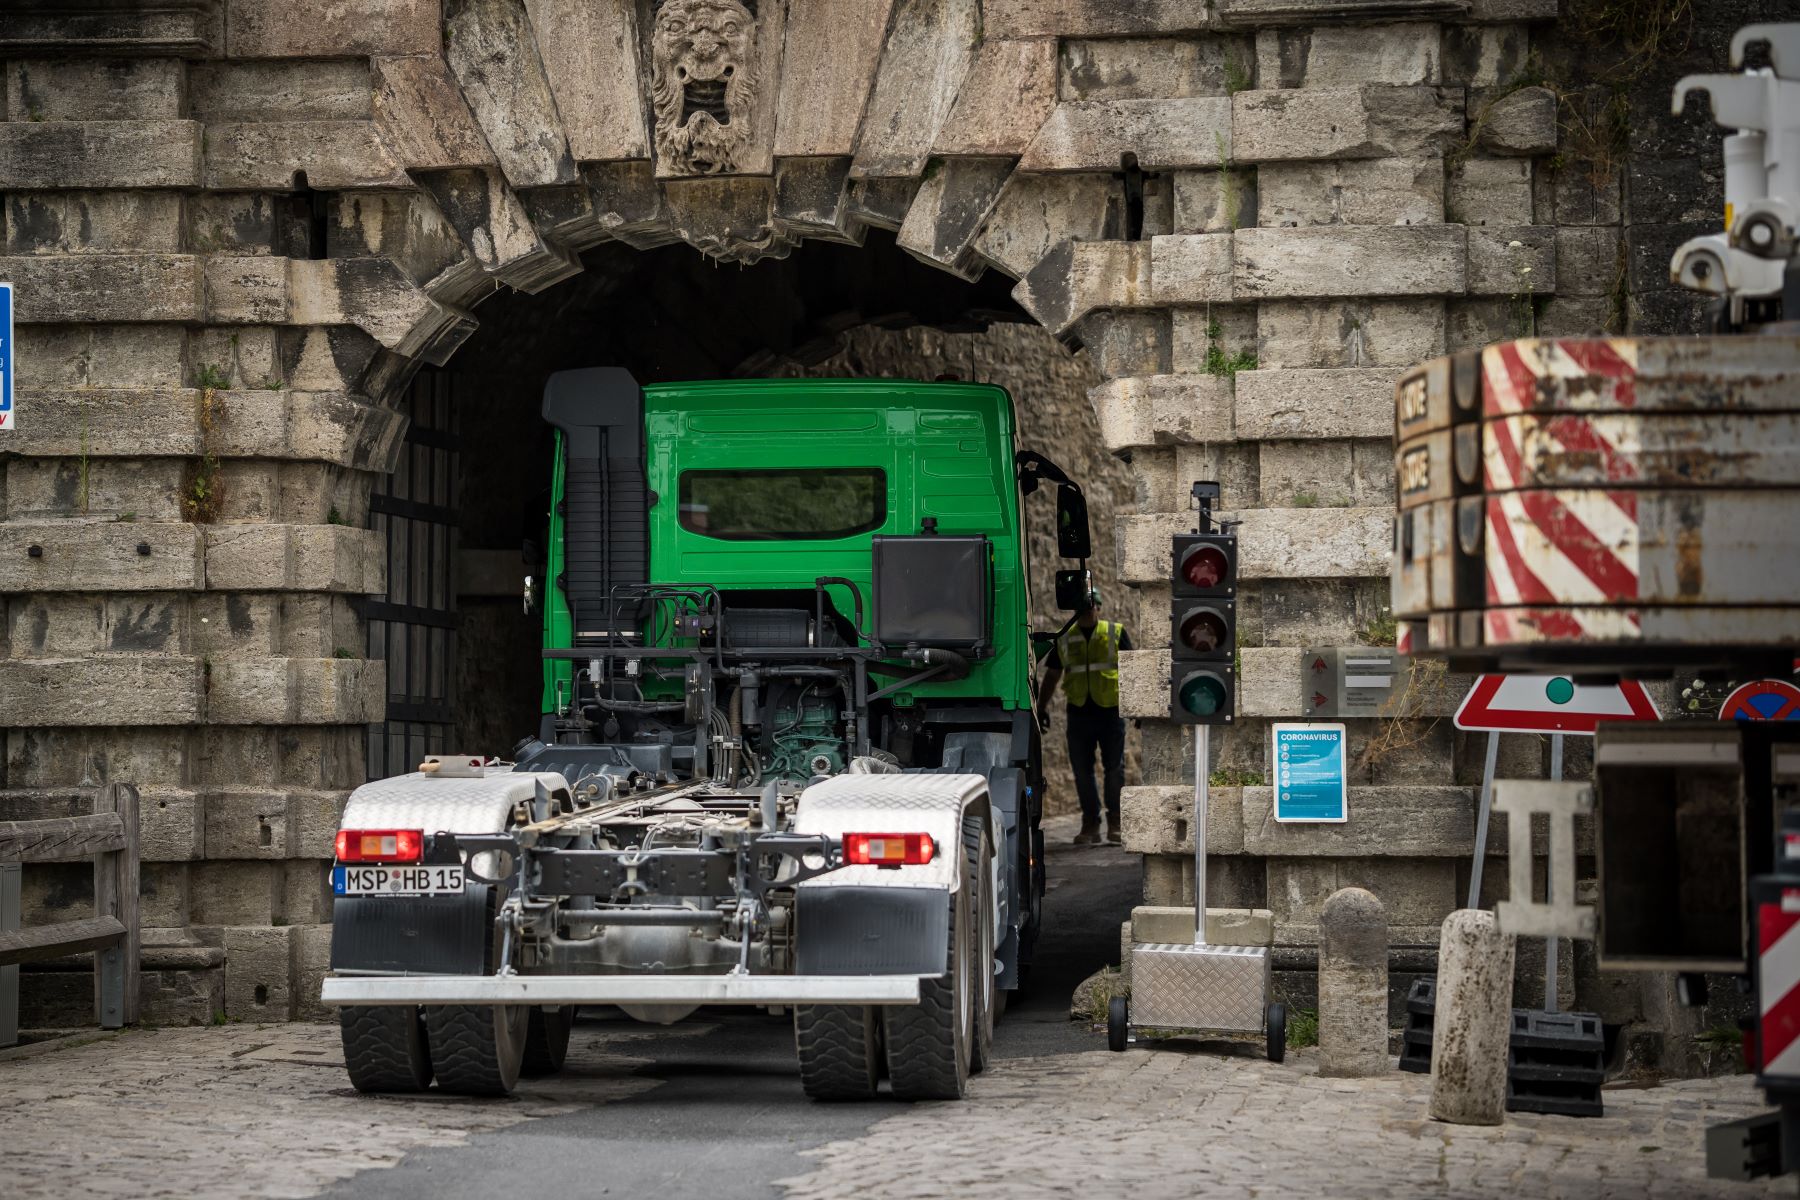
[[1473, 1021]]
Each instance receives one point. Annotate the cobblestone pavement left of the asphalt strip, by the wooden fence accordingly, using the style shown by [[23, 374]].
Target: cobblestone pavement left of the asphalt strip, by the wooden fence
[[238, 1111]]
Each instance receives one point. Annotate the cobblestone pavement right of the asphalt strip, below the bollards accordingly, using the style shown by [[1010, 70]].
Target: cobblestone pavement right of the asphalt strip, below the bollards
[[1182, 1122]]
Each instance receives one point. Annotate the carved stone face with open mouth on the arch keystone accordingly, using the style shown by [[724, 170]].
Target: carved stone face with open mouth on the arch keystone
[[703, 85]]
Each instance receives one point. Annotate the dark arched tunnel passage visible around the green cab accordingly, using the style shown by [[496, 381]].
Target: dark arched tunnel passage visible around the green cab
[[472, 492]]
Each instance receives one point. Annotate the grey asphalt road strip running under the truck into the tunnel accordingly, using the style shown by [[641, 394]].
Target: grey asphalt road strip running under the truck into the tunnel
[[726, 1116]]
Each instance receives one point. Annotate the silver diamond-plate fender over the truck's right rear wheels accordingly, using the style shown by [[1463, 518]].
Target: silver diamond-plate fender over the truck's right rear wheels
[[895, 805]]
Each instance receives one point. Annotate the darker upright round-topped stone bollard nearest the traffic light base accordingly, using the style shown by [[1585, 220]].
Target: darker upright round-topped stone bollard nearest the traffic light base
[[1354, 987]]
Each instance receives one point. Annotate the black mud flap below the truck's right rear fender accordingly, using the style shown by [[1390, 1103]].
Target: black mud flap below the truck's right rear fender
[[872, 931]]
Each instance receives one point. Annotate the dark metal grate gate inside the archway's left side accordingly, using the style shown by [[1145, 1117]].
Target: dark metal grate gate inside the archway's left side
[[415, 625]]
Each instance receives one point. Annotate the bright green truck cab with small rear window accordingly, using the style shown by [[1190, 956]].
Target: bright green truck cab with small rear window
[[782, 580]]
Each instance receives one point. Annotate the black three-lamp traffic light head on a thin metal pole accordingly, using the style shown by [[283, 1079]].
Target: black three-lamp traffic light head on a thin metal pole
[[1203, 629]]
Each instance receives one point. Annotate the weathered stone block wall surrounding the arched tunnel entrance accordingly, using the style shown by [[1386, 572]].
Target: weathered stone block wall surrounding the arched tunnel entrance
[[238, 228]]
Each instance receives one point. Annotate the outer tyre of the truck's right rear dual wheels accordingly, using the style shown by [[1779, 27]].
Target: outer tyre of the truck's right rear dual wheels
[[928, 1043]]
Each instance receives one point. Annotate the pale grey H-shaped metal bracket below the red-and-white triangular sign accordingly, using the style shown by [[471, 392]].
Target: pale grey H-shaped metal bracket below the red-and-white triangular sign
[[1560, 917]]
